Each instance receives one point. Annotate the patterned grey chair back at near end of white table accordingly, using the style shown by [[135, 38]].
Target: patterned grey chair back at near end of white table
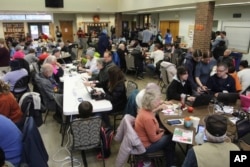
[[86, 133]]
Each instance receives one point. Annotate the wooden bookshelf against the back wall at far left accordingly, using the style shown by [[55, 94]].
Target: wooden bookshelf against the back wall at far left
[[15, 30]]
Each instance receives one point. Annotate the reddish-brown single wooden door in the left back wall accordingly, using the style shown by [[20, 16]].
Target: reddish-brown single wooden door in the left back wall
[[66, 28]]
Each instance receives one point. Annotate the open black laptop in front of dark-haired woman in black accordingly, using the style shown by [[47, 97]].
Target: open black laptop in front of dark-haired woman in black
[[202, 100]]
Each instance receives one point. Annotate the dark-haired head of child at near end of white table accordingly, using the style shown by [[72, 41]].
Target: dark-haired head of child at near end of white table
[[85, 109]]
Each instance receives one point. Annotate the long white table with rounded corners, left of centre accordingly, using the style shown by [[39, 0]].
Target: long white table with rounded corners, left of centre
[[75, 89]]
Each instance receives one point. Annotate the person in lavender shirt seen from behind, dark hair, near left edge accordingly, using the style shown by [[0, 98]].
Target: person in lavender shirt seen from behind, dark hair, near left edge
[[16, 73]]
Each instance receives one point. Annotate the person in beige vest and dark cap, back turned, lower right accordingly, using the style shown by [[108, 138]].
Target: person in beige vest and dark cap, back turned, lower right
[[215, 151]]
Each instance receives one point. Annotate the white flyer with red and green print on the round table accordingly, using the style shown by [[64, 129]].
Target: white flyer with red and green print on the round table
[[183, 136]]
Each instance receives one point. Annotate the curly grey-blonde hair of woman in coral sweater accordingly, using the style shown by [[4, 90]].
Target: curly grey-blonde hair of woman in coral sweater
[[152, 93]]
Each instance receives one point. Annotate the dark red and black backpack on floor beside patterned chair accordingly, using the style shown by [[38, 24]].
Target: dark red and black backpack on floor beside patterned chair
[[107, 135]]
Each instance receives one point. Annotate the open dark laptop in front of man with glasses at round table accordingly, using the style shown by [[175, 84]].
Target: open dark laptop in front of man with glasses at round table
[[228, 98]]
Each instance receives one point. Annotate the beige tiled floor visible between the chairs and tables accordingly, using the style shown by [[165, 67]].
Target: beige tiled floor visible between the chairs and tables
[[52, 139]]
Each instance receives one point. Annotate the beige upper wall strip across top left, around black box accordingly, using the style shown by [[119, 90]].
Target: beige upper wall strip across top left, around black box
[[69, 6]]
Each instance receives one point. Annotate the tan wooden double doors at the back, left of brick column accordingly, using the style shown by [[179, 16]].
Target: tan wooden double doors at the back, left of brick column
[[172, 25]]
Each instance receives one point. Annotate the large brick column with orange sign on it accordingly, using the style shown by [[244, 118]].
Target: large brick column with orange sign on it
[[203, 25]]
